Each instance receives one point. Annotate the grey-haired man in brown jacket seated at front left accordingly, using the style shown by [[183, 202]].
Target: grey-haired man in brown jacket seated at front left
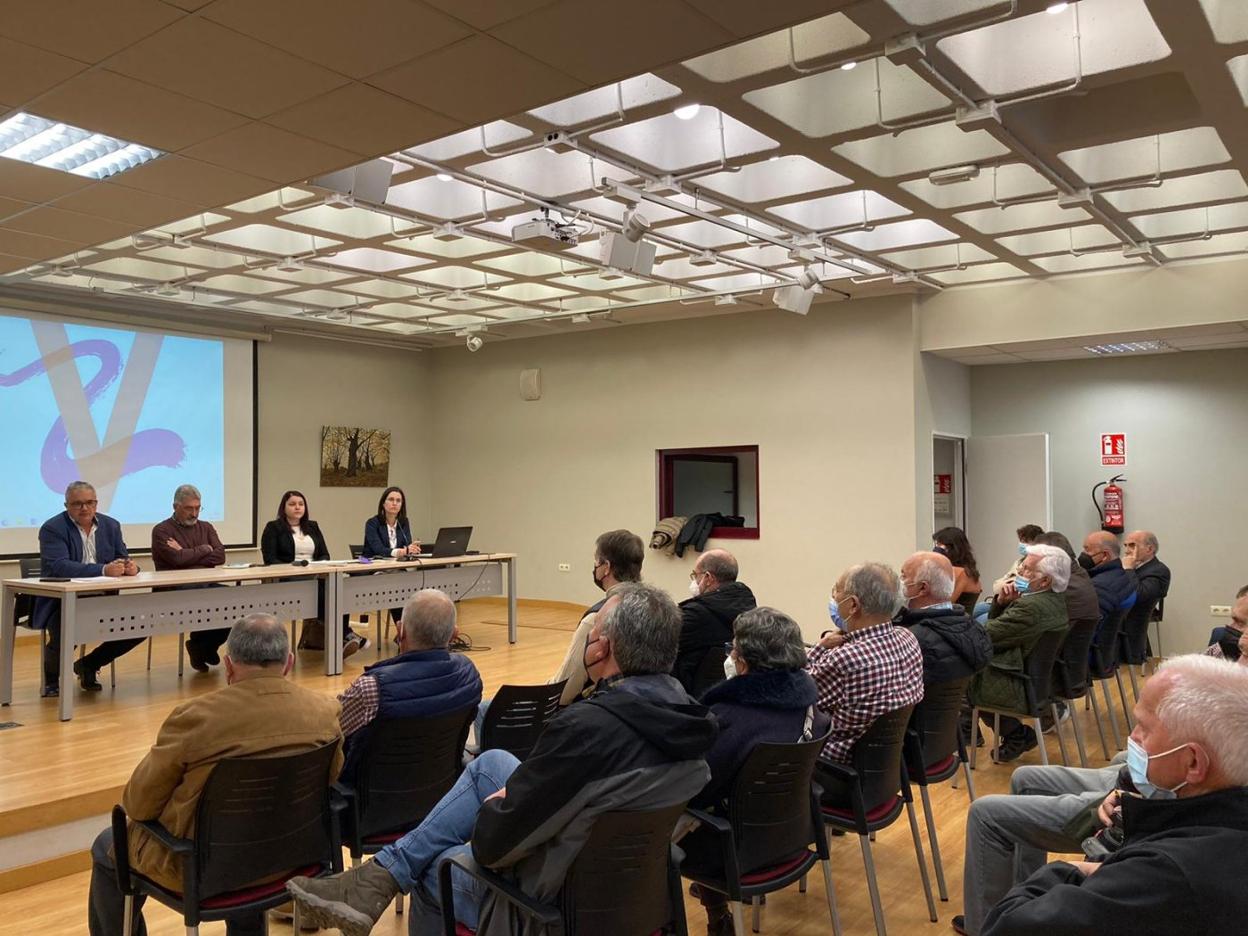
[[260, 712]]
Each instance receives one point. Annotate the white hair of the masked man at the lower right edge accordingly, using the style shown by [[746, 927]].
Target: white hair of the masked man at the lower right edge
[[1207, 703]]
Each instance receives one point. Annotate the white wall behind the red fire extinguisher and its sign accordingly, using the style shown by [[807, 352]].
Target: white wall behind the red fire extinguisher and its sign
[[1186, 420]]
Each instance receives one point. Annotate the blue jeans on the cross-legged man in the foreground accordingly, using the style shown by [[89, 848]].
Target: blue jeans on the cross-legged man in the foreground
[[414, 860]]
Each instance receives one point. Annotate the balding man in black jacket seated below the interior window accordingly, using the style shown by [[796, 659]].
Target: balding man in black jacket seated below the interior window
[[707, 618]]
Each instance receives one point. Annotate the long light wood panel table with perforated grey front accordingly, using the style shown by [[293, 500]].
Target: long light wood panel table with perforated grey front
[[95, 611]]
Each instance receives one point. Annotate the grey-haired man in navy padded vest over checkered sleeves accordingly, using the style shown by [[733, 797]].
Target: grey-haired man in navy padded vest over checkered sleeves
[[425, 681]]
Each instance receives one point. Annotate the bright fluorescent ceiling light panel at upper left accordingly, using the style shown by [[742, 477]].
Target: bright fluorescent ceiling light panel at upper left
[[46, 143]]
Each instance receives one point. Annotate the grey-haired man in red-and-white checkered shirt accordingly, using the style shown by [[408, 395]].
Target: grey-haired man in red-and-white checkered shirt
[[867, 667]]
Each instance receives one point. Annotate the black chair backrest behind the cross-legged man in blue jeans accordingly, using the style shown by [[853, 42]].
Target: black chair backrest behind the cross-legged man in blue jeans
[[621, 883]]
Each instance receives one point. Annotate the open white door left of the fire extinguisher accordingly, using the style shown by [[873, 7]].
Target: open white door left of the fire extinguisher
[[1008, 485]]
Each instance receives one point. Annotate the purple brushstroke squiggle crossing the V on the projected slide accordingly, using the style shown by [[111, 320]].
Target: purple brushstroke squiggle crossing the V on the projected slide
[[148, 449]]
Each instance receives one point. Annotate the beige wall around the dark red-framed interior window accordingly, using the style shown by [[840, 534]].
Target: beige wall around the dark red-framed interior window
[[828, 399]]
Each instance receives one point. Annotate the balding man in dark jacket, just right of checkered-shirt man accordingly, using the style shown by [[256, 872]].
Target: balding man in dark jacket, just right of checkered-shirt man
[[954, 646]]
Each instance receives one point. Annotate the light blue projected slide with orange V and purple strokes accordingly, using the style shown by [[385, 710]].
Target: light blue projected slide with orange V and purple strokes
[[134, 412]]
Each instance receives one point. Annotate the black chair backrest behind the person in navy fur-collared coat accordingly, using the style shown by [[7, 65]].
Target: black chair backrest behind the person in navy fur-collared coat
[[769, 806]]
